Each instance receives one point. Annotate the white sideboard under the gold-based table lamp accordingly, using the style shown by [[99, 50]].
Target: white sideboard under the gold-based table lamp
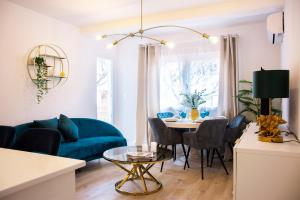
[[266, 171]]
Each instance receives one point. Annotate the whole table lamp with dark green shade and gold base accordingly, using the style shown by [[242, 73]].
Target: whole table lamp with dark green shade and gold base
[[269, 84]]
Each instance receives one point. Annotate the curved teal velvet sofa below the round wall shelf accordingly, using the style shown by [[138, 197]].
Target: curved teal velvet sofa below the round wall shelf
[[95, 137]]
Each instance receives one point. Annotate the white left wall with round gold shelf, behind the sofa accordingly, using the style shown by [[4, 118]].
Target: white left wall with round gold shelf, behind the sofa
[[22, 29]]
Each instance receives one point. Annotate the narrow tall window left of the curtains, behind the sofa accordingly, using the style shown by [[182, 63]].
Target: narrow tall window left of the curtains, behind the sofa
[[104, 90]]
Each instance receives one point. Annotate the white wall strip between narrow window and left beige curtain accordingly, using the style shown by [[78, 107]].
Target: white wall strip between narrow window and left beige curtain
[[125, 99]]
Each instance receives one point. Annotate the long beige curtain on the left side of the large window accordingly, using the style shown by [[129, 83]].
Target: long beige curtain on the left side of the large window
[[148, 91]]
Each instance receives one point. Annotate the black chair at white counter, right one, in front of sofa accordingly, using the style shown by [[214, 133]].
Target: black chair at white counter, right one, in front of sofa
[[39, 140]]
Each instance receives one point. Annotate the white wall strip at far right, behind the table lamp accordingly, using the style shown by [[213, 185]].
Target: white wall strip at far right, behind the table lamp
[[291, 61]]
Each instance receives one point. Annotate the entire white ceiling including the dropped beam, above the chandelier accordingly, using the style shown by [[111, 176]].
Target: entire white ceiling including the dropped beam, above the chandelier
[[106, 16]]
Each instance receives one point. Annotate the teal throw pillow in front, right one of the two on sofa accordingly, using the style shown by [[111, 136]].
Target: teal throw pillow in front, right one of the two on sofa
[[68, 128]]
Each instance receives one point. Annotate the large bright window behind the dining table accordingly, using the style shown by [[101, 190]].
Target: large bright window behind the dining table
[[184, 73]]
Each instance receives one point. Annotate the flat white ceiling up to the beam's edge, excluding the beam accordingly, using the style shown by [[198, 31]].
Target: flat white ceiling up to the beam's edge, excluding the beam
[[85, 12]]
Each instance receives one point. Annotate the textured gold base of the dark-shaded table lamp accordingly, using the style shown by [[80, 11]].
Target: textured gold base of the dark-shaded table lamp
[[268, 128]]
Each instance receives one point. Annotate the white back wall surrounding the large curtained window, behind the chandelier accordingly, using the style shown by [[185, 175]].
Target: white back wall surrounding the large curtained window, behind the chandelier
[[255, 51]]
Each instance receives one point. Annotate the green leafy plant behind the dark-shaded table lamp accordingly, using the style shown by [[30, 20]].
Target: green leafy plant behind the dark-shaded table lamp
[[249, 104]]
